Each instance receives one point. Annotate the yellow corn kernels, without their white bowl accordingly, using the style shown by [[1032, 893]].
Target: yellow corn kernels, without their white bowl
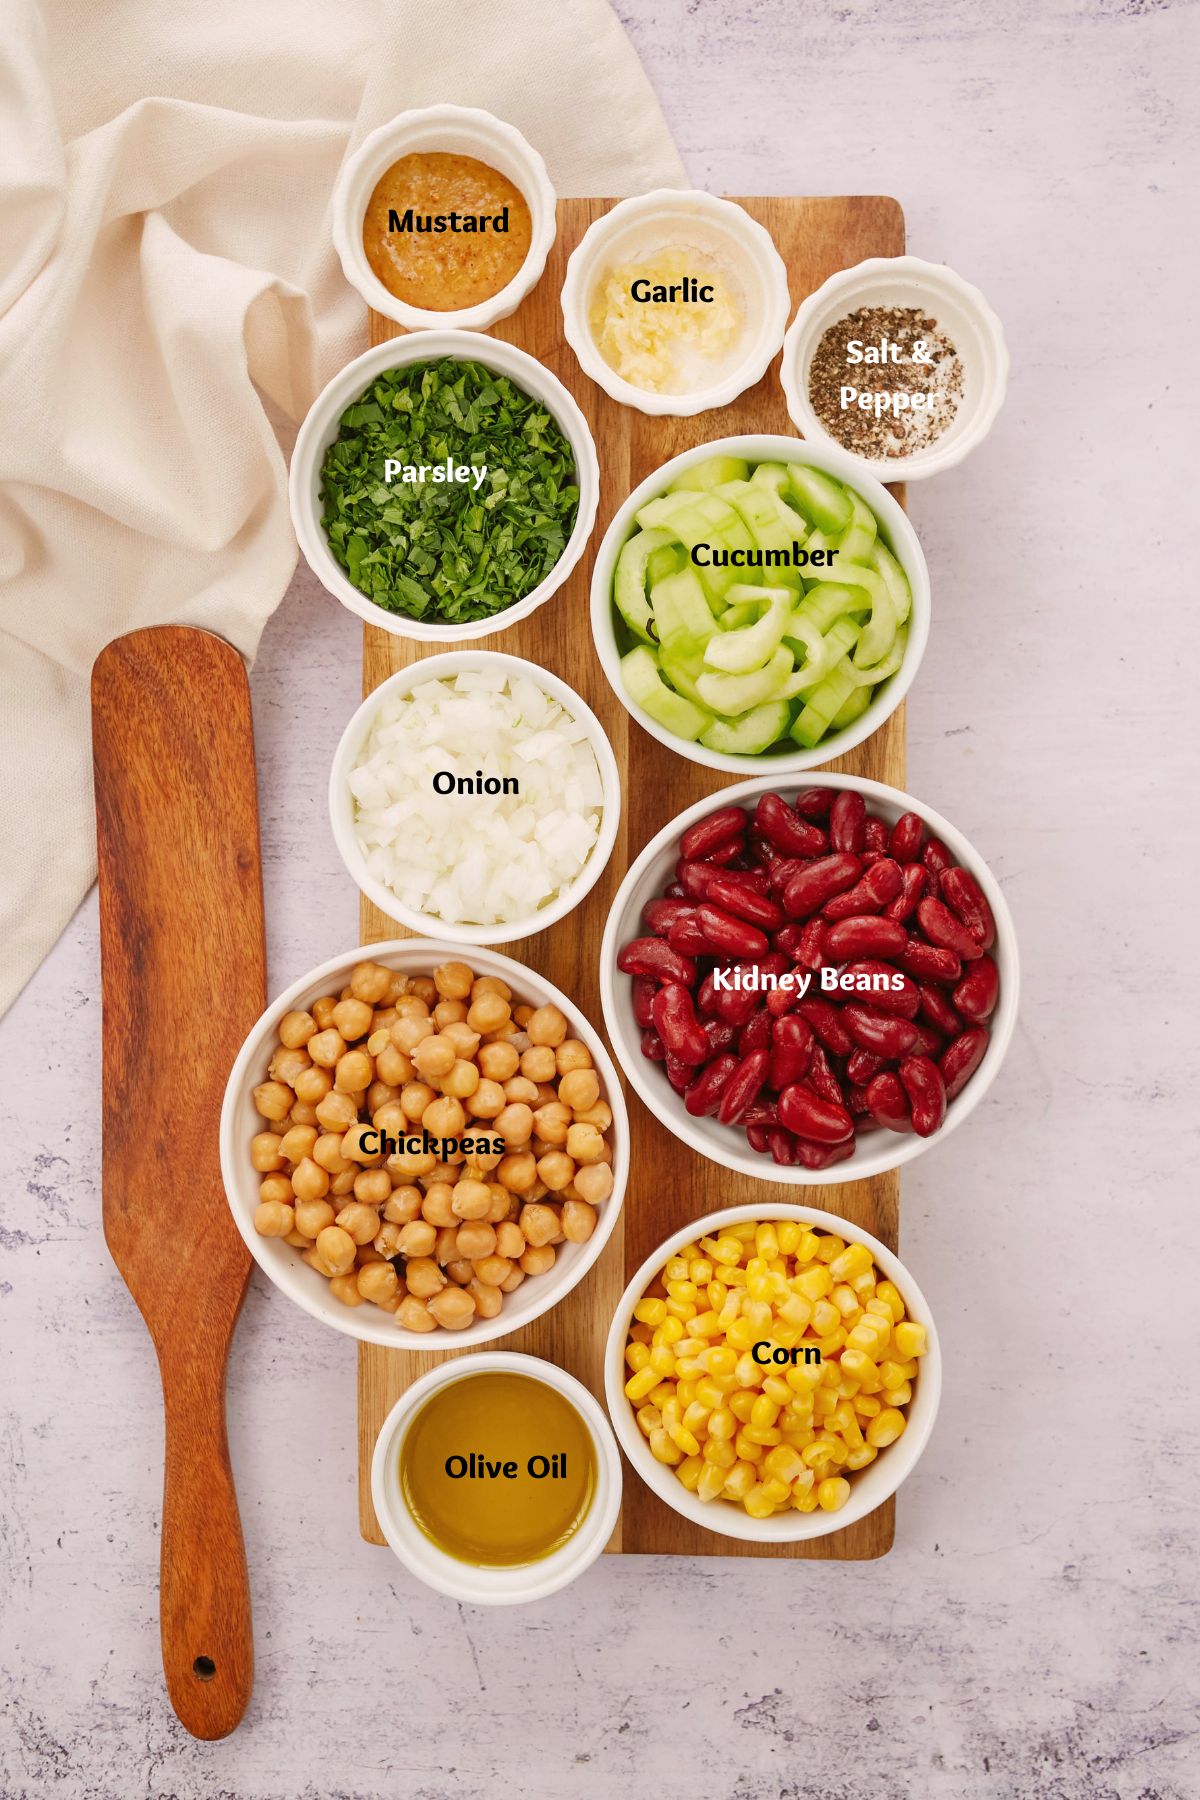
[[767, 1365]]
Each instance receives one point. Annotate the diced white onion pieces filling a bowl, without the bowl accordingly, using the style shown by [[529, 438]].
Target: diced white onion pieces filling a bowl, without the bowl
[[472, 858]]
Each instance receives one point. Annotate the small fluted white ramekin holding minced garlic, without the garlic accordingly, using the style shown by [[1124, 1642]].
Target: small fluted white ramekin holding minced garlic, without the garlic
[[690, 219]]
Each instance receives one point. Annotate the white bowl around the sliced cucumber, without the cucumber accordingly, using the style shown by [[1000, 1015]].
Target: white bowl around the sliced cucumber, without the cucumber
[[897, 534]]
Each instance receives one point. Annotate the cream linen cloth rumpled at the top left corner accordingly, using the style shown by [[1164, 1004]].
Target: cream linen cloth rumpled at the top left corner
[[168, 291]]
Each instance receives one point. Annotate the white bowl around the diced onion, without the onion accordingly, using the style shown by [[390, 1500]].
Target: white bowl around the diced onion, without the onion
[[343, 802]]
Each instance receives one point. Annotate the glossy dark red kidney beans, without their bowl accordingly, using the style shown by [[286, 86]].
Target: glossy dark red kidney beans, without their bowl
[[814, 973]]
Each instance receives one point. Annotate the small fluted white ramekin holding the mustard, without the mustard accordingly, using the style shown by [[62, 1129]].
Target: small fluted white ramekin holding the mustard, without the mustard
[[463, 132]]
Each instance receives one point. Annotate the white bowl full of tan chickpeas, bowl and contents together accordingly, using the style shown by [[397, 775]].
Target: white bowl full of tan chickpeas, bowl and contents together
[[416, 1144]]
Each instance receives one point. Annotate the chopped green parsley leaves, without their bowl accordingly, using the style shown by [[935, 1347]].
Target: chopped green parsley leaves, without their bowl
[[445, 550]]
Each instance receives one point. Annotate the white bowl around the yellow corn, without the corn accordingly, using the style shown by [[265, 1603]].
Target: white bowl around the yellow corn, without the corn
[[868, 1488]]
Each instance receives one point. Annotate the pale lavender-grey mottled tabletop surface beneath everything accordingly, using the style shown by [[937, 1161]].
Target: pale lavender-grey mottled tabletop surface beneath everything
[[1034, 1633]]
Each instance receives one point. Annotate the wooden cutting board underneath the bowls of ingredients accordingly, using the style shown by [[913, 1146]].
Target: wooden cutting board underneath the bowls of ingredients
[[670, 1185]]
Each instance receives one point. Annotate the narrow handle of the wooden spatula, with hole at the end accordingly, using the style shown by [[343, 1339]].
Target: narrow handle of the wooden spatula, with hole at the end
[[208, 1648]]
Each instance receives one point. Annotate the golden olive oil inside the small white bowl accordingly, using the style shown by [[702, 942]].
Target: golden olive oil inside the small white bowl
[[497, 1470]]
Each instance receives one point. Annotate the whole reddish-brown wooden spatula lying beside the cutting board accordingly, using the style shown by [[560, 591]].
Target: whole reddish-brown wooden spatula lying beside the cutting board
[[184, 978]]
